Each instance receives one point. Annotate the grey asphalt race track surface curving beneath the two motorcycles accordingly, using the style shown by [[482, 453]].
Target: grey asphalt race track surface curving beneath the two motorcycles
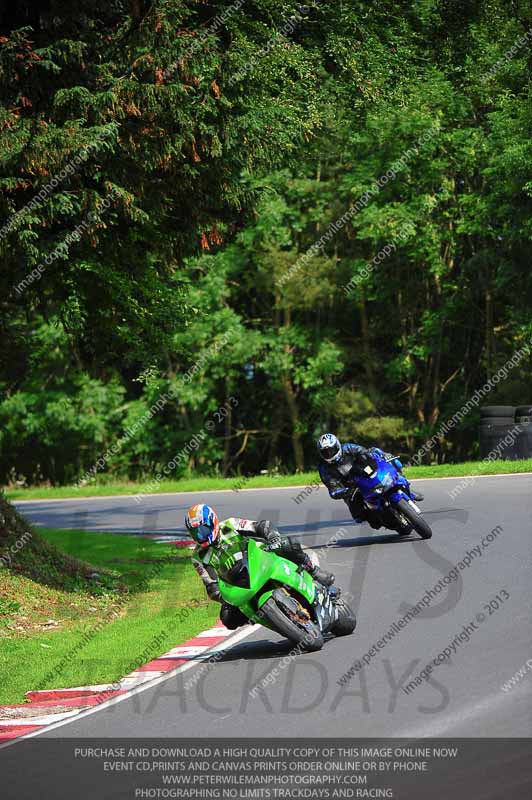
[[384, 575]]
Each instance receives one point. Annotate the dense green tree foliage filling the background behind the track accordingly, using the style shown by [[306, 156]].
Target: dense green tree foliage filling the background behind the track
[[219, 153]]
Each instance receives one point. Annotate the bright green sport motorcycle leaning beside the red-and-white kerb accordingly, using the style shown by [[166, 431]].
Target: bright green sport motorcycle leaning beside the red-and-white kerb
[[271, 591]]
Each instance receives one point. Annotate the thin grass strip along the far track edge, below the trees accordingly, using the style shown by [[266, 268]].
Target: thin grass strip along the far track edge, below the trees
[[259, 481]]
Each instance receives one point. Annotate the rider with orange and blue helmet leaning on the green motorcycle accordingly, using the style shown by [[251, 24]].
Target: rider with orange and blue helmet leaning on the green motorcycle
[[216, 540]]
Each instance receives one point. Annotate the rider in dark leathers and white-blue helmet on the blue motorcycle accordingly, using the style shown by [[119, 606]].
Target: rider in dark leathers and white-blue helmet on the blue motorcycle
[[336, 463]]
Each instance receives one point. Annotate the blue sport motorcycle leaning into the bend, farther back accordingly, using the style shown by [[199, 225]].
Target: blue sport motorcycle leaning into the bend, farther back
[[386, 495]]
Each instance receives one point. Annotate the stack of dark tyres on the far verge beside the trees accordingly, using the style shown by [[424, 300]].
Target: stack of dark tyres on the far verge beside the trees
[[506, 432]]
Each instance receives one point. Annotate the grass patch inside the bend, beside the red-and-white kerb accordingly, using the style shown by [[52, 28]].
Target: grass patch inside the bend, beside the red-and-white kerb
[[165, 605]]
